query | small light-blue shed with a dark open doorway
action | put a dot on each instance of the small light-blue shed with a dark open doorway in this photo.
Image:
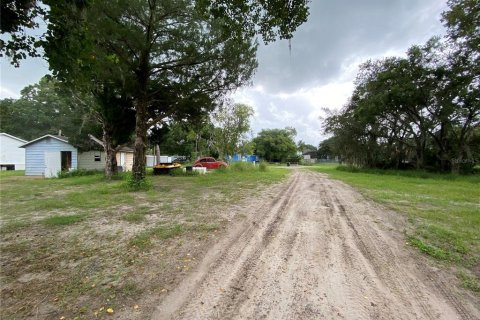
(48, 155)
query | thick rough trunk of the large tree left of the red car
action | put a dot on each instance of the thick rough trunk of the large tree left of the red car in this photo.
(138, 170)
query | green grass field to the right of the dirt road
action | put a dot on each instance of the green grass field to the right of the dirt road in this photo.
(443, 209)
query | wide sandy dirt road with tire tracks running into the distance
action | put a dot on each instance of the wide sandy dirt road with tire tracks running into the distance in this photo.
(317, 250)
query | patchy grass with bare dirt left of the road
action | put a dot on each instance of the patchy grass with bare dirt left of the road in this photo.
(77, 246)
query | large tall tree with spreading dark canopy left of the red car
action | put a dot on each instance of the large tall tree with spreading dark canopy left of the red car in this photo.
(144, 50)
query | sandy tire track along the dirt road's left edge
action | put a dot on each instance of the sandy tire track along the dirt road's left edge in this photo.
(234, 255)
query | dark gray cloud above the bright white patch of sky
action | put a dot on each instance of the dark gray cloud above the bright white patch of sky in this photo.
(341, 30)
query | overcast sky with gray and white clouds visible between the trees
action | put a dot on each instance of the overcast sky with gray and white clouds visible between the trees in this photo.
(291, 88)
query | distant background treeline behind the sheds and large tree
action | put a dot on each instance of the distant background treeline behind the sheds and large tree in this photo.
(48, 108)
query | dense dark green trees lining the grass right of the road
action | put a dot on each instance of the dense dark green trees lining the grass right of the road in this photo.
(421, 111)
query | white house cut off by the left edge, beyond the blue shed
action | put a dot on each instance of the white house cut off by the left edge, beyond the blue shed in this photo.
(12, 157)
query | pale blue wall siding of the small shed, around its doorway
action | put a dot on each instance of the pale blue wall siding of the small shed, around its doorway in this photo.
(35, 155)
